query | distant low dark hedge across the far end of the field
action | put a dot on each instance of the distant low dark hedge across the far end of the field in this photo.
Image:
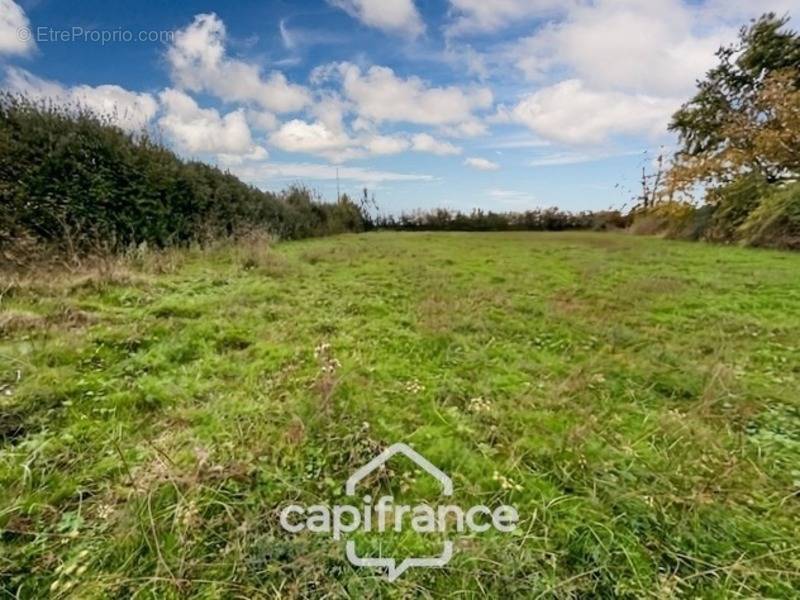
(551, 219)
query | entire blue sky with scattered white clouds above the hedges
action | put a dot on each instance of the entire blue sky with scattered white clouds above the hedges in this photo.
(499, 104)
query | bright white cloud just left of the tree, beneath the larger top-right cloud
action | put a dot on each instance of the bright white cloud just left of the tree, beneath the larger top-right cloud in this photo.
(572, 113)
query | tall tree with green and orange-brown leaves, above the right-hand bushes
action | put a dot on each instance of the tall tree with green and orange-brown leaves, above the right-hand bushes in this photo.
(745, 116)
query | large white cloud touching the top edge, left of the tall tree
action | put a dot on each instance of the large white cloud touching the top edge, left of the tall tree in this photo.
(639, 47)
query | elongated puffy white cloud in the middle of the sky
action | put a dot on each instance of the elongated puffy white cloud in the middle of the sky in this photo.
(379, 95)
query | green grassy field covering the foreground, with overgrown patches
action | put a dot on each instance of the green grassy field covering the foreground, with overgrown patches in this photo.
(635, 399)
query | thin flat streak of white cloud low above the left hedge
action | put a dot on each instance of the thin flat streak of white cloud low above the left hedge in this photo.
(262, 173)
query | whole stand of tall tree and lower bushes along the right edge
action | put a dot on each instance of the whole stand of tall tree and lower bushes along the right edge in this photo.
(740, 143)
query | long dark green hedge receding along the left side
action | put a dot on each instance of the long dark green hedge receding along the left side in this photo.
(73, 184)
